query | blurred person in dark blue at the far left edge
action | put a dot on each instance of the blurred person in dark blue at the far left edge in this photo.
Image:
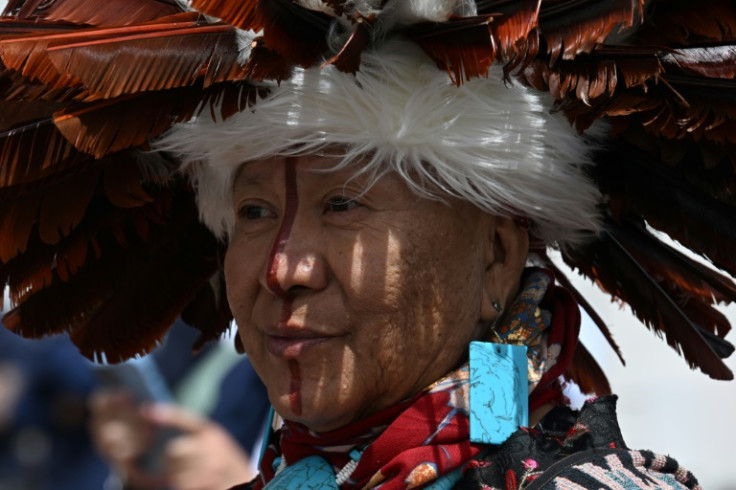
(44, 443)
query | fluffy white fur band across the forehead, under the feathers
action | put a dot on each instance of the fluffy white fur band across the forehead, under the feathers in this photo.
(493, 144)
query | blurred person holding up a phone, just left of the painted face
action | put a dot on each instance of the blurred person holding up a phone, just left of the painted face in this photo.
(168, 444)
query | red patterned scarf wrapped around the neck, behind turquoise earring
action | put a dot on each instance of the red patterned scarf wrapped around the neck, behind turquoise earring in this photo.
(426, 436)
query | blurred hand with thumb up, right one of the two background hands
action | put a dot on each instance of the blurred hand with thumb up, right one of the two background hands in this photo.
(204, 456)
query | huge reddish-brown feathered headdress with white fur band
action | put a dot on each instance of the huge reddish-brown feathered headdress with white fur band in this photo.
(101, 237)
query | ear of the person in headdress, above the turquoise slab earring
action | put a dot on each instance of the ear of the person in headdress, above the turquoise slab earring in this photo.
(506, 254)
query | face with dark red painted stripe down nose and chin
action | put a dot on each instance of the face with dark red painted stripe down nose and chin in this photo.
(348, 301)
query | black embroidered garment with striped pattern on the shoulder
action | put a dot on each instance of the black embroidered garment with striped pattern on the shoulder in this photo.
(574, 450)
